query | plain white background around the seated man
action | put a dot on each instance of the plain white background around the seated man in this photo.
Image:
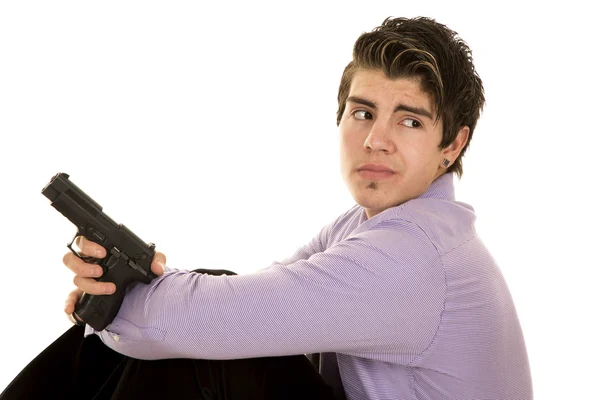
(210, 130)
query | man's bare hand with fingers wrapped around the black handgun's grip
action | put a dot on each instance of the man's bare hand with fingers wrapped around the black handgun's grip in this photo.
(85, 272)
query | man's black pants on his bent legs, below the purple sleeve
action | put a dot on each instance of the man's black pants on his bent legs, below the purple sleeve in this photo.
(74, 367)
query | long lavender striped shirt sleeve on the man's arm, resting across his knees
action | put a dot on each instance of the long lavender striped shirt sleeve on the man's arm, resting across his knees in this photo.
(378, 291)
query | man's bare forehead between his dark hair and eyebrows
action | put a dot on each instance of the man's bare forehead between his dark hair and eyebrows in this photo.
(374, 85)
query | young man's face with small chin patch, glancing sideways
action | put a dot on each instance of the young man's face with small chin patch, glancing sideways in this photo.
(389, 123)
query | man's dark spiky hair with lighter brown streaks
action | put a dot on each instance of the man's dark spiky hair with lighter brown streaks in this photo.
(425, 49)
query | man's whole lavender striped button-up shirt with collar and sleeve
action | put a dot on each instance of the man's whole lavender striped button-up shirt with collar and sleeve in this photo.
(406, 305)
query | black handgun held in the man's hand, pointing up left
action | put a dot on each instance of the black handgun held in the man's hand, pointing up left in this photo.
(127, 259)
